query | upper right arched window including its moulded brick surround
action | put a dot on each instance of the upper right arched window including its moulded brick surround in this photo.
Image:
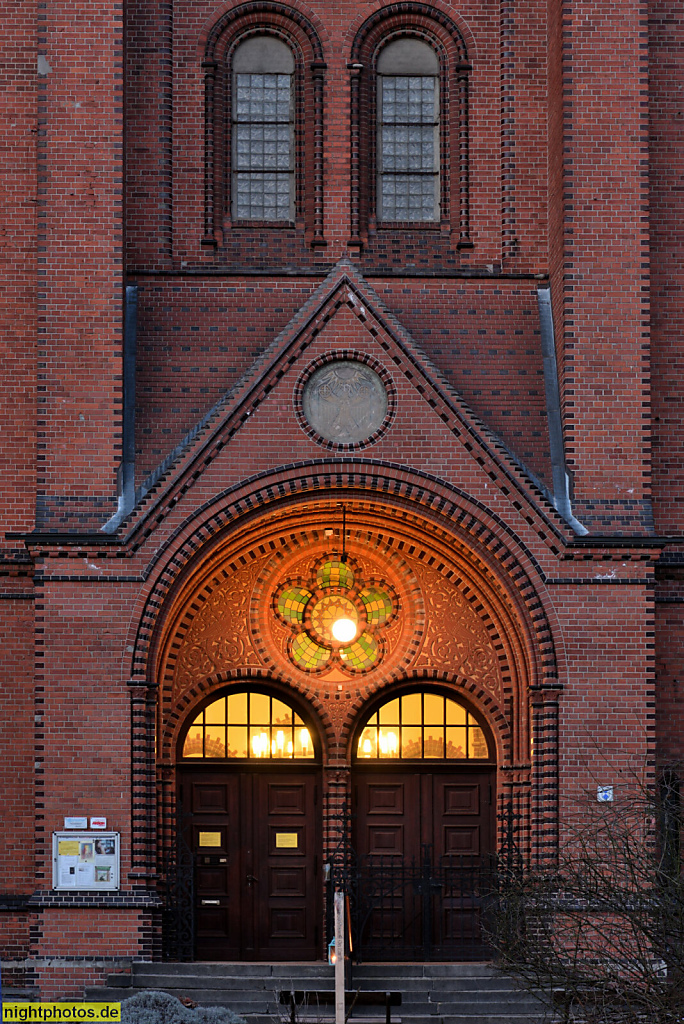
(409, 86)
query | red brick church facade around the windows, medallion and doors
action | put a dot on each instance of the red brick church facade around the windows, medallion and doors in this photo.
(529, 473)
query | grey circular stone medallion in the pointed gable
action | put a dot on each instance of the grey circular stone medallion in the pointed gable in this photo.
(346, 402)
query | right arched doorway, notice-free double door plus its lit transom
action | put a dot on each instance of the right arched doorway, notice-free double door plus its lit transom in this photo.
(424, 785)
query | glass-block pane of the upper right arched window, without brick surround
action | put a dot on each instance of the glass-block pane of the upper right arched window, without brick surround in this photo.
(408, 133)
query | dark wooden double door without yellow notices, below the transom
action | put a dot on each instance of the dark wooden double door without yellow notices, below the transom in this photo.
(424, 841)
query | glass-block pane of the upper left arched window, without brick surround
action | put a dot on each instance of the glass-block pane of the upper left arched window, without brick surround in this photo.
(263, 157)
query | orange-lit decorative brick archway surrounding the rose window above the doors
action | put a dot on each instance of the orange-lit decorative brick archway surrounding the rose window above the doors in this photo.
(434, 565)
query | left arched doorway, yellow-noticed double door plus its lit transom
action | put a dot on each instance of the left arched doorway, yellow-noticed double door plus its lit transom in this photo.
(249, 785)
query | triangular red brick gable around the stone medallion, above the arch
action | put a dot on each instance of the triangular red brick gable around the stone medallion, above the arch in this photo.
(262, 424)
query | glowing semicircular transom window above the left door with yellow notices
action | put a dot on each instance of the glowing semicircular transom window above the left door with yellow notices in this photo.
(249, 726)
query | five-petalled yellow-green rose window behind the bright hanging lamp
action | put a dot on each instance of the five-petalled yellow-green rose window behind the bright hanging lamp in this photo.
(335, 619)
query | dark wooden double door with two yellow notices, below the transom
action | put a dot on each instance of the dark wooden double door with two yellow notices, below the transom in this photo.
(258, 887)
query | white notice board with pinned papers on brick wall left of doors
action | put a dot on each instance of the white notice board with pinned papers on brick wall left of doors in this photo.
(85, 861)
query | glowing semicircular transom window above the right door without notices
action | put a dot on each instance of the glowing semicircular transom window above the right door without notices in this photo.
(425, 727)
